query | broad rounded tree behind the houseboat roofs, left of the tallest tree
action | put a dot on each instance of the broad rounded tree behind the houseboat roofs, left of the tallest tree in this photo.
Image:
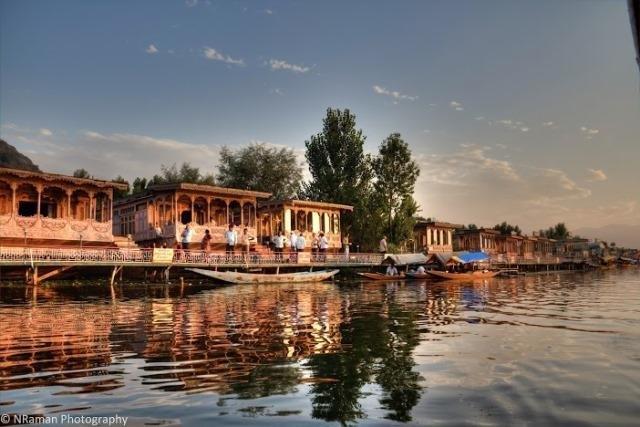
(260, 167)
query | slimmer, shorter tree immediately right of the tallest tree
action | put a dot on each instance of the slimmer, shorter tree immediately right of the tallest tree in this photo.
(396, 175)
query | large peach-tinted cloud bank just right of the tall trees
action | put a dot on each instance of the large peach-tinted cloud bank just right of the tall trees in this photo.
(472, 184)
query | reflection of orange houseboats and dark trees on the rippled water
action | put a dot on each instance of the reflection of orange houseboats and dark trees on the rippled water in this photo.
(243, 342)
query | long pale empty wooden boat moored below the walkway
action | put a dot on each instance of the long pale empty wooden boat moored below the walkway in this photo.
(235, 277)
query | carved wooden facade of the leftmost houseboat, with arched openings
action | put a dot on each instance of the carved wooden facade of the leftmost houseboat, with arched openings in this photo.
(43, 209)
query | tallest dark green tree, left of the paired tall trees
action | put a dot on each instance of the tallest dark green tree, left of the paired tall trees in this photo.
(341, 173)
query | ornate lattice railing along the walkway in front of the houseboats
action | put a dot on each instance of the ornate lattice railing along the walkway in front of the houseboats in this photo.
(111, 256)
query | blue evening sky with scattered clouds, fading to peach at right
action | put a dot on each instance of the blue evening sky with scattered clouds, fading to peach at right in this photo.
(524, 111)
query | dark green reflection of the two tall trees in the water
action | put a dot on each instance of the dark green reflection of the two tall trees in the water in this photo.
(378, 349)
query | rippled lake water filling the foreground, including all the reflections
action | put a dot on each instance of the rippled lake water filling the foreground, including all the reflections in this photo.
(560, 349)
